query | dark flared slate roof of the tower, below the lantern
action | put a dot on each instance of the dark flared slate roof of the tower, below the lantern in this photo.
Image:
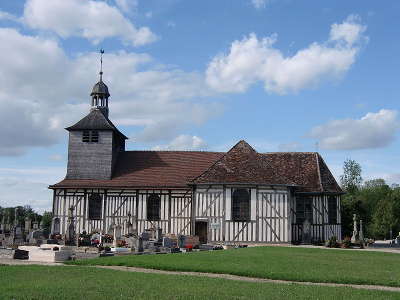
(95, 120)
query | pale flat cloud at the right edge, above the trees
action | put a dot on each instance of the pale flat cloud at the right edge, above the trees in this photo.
(374, 130)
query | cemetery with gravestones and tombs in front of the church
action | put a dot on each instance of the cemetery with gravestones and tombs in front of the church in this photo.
(29, 241)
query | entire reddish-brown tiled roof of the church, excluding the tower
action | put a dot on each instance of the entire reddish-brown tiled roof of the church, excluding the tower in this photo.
(306, 171)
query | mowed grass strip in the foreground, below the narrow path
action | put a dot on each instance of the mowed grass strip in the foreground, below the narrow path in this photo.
(48, 282)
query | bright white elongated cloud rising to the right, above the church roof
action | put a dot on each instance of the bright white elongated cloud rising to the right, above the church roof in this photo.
(251, 60)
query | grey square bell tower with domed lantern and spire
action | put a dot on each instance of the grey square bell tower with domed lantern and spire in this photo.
(94, 142)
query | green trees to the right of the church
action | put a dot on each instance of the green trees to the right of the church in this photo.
(373, 201)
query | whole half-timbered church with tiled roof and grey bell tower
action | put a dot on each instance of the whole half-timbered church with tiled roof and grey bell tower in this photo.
(240, 196)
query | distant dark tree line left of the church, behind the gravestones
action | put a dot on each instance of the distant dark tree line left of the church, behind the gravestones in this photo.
(8, 214)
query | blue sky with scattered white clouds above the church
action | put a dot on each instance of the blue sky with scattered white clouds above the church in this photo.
(199, 75)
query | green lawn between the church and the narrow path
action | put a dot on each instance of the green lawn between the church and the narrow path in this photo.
(287, 263)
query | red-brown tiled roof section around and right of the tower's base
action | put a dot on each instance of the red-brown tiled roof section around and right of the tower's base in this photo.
(152, 169)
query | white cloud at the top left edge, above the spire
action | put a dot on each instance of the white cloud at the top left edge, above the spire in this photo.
(93, 20)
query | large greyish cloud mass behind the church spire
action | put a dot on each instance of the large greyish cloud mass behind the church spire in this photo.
(43, 91)
